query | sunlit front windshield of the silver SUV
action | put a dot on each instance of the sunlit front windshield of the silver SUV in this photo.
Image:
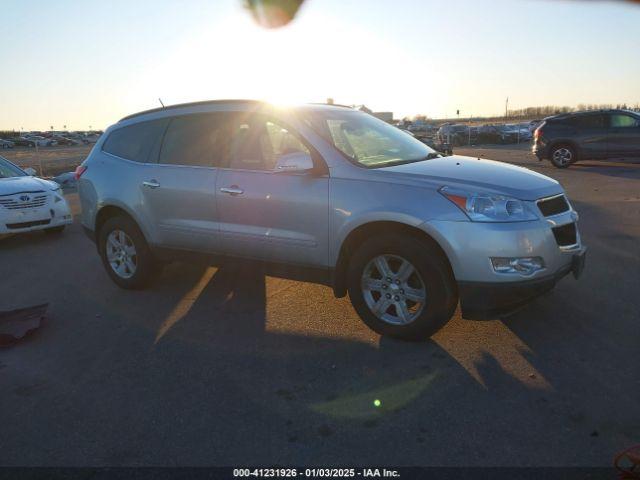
(365, 139)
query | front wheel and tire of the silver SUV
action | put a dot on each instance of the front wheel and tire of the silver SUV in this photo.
(431, 269)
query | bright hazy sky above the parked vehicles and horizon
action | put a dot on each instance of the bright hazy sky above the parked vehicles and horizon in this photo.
(84, 64)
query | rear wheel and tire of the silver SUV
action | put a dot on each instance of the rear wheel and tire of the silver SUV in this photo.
(127, 259)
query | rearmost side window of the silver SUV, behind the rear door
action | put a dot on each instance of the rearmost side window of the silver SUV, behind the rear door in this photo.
(135, 142)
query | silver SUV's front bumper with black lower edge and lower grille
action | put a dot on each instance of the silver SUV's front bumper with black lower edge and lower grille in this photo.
(486, 293)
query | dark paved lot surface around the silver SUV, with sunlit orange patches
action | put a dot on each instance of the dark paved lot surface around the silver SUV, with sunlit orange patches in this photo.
(227, 367)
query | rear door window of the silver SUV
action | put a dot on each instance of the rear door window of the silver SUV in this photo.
(200, 140)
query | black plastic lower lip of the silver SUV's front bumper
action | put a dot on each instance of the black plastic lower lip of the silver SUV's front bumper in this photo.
(484, 300)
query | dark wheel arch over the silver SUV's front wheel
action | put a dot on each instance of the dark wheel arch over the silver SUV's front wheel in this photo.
(364, 231)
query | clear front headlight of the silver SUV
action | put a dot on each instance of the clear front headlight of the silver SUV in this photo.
(484, 207)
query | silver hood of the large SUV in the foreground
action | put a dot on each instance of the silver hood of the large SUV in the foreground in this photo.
(482, 175)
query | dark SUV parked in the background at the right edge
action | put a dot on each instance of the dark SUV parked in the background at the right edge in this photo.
(564, 139)
